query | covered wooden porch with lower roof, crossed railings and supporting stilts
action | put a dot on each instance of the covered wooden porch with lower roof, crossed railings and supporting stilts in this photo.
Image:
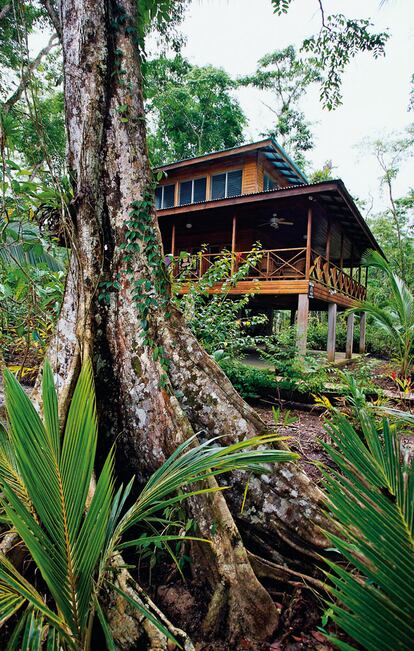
(311, 239)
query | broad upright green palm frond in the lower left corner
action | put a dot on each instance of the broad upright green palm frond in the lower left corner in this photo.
(56, 472)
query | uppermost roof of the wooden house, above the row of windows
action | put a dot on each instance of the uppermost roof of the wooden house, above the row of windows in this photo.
(274, 153)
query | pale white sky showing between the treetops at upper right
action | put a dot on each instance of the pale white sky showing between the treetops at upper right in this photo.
(234, 34)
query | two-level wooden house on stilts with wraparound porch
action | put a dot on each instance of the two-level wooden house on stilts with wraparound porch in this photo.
(312, 234)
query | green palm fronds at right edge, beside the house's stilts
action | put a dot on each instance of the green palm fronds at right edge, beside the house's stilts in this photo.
(396, 318)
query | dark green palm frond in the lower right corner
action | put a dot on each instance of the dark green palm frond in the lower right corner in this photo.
(371, 499)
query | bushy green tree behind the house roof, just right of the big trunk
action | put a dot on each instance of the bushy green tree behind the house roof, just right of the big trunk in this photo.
(190, 109)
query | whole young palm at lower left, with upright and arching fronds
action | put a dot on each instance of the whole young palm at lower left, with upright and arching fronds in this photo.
(75, 544)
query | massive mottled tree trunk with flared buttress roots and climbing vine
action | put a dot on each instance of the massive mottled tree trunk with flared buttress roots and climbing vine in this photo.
(155, 384)
